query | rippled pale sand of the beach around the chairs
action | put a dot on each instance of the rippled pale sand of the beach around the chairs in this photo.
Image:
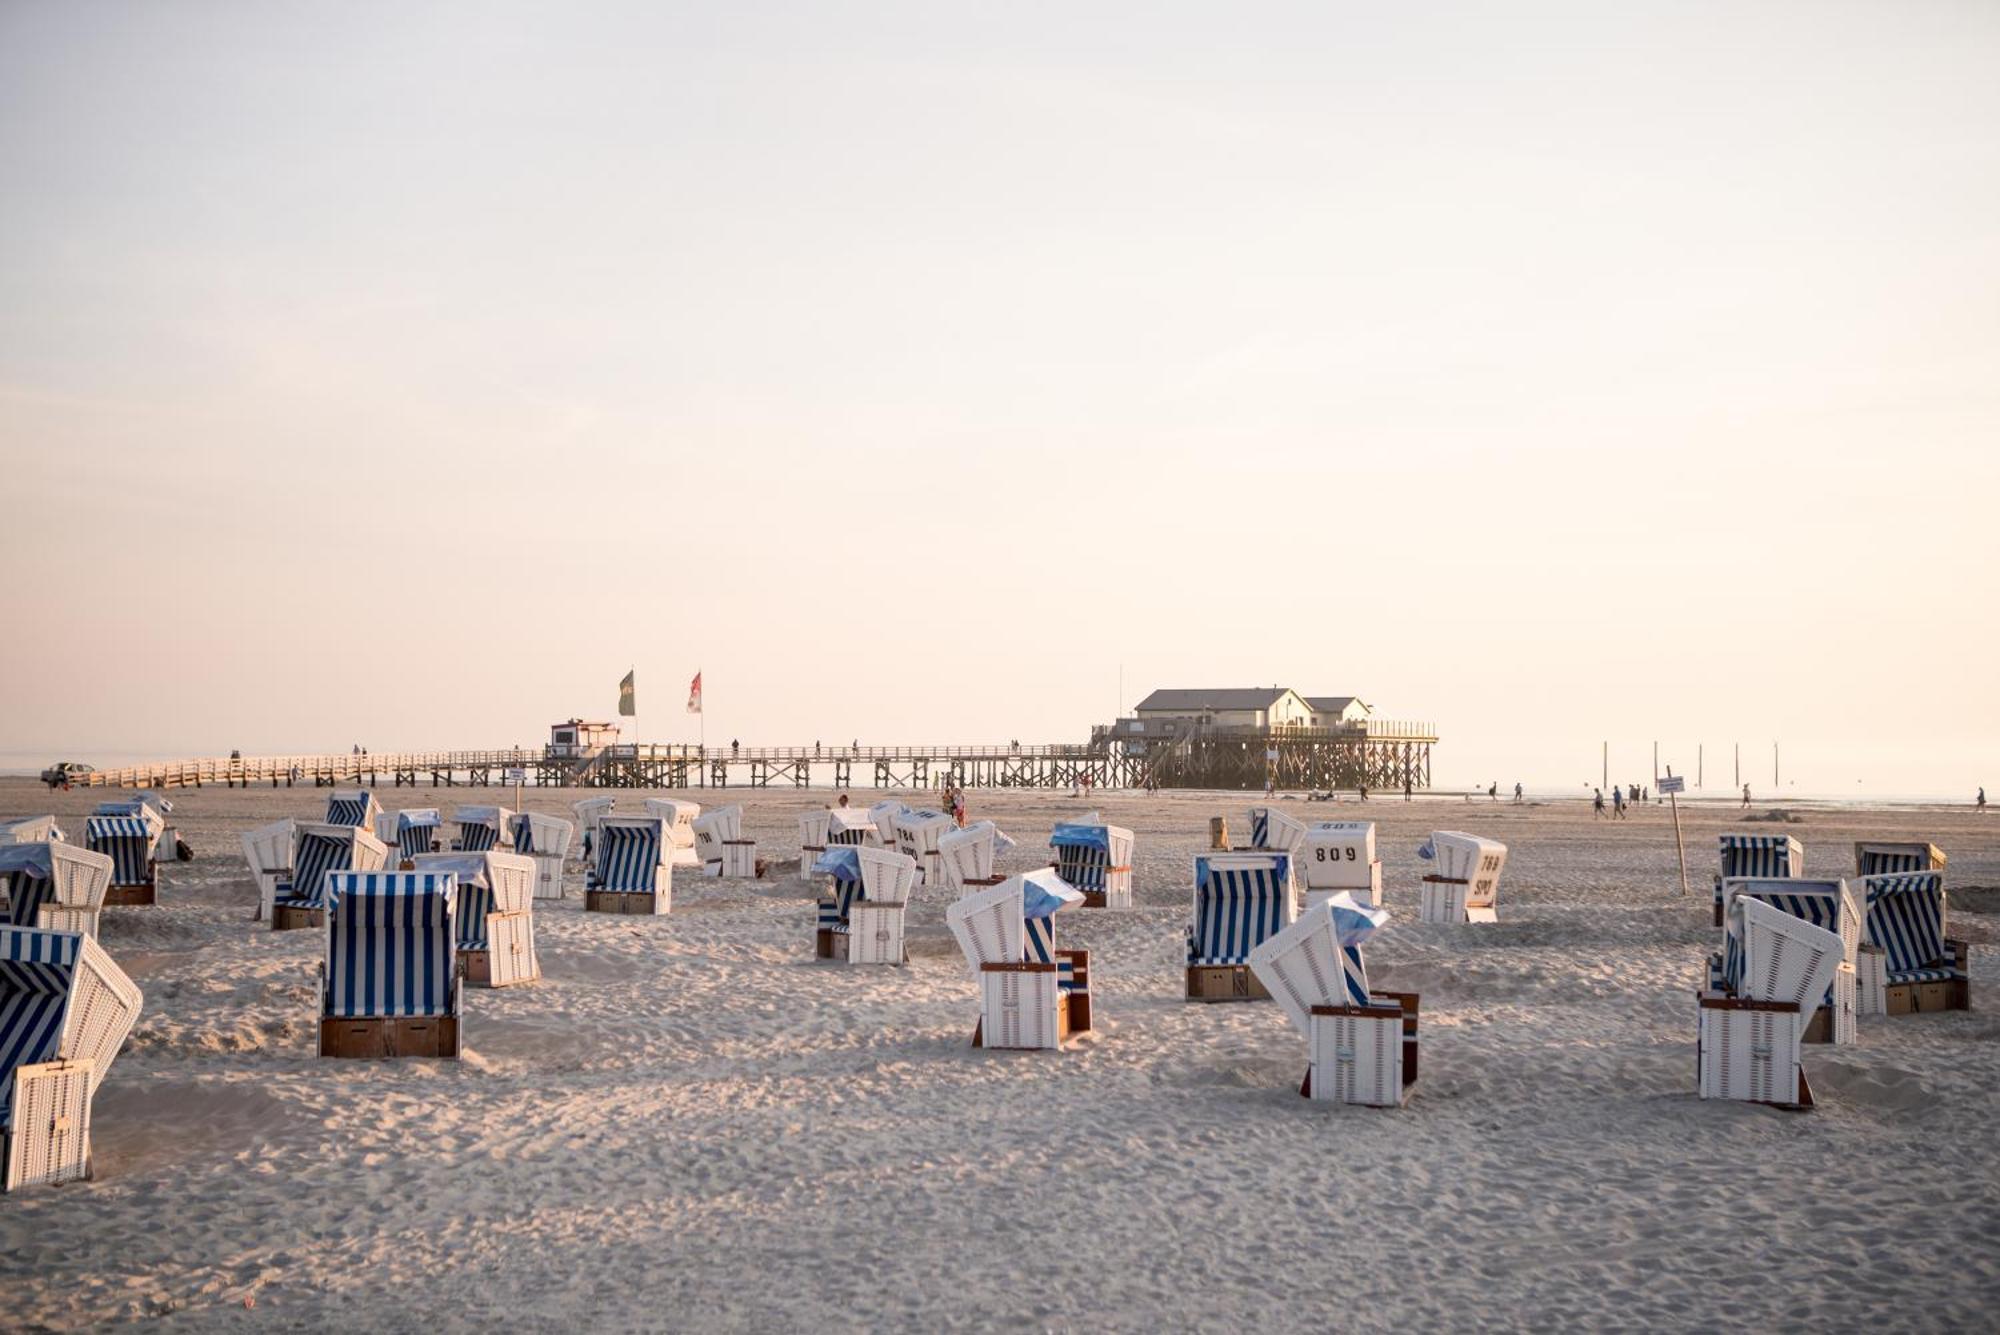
(691, 1124)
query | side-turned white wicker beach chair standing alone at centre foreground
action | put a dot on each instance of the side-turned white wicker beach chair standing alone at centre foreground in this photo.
(1033, 996)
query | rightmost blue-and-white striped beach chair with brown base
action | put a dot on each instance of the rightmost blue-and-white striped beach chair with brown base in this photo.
(1907, 962)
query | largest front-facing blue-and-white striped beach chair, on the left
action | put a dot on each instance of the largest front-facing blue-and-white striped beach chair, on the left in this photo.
(389, 982)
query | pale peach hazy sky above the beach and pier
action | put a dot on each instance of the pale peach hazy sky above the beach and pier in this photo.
(945, 373)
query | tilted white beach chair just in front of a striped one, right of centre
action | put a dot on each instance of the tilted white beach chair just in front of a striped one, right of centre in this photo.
(1363, 1044)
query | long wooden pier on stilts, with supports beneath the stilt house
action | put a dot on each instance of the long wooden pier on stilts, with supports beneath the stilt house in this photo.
(1291, 760)
